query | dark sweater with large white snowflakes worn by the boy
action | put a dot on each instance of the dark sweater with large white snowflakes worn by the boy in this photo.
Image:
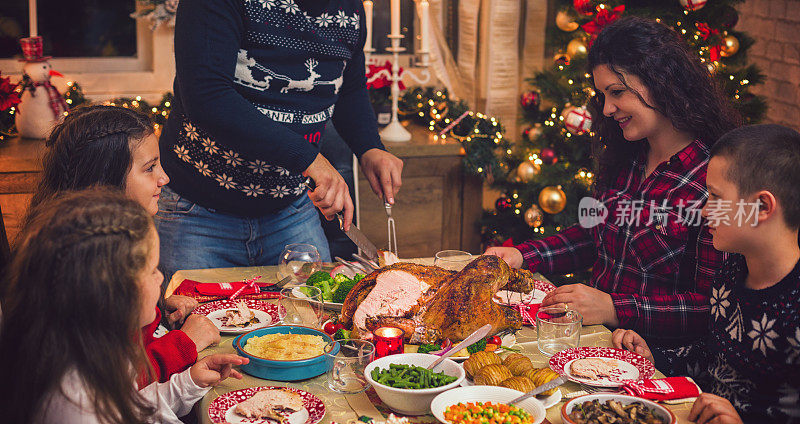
(752, 354)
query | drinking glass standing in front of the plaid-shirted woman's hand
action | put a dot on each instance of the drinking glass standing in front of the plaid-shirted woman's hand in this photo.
(557, 329)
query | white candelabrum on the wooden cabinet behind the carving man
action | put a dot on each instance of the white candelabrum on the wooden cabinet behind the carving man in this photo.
(395, 132)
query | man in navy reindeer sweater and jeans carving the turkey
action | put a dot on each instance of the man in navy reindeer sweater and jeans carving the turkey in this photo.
(256, 83)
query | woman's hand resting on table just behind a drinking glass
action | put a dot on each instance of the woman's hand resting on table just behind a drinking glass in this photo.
(595, 305)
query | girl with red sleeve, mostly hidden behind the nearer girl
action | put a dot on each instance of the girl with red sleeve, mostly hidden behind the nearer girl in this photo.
(116, 147)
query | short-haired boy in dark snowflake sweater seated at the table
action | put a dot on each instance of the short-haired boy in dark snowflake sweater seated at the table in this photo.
(750, 361)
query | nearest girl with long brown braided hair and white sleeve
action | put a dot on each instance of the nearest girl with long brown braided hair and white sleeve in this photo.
(70, 339)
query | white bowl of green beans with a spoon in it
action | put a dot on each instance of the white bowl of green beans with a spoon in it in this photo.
(405, 385)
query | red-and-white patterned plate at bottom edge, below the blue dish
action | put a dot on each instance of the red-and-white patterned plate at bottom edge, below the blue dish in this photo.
(221, 409)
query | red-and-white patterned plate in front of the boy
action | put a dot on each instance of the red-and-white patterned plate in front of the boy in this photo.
(630, 365)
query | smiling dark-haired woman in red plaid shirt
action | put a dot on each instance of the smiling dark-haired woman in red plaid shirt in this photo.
(658, 112)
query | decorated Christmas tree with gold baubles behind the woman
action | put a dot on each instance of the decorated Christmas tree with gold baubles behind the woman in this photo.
(551, 164)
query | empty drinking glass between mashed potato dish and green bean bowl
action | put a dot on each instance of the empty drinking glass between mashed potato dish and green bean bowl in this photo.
(346, 367)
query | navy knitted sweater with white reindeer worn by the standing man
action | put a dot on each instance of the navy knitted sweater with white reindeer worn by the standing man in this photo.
(256, 82)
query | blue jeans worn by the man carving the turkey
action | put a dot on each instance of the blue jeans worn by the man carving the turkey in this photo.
(194, 237)
